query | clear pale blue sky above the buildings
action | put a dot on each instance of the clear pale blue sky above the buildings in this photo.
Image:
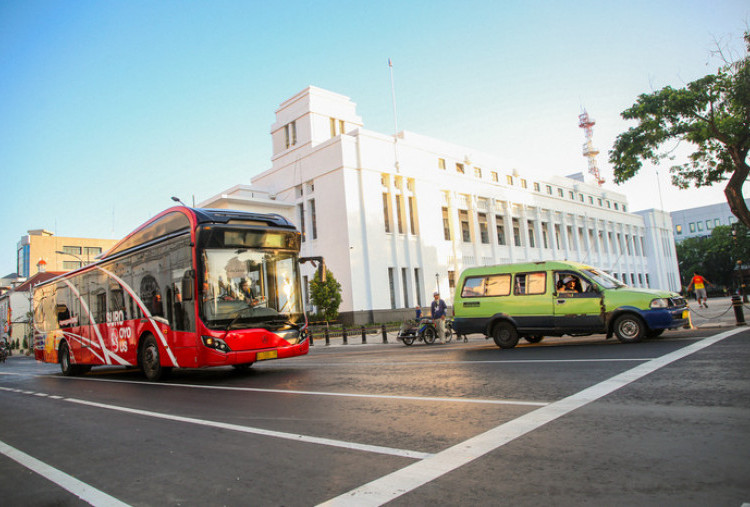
(109, 108)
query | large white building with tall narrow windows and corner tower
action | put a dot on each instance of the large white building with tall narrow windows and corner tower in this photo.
(396, 217)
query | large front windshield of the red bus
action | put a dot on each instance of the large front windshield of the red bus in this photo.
(246, 287)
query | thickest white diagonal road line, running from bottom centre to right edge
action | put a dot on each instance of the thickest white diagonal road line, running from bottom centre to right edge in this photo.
(393, 485)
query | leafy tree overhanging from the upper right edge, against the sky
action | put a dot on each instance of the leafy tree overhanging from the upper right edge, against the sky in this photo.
(712, 114)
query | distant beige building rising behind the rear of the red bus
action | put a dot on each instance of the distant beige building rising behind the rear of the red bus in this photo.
(41, 245)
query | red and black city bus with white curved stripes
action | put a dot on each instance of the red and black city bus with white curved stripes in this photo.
(190, 288)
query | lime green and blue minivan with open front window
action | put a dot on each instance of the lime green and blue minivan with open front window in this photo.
(555, 298)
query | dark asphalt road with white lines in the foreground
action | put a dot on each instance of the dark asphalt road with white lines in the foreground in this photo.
(565, 422)
